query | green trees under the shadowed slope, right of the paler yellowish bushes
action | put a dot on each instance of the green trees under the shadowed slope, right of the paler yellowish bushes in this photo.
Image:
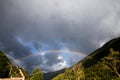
(106, 69)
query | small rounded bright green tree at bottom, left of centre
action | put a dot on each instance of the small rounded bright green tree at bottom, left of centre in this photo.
(37, 74)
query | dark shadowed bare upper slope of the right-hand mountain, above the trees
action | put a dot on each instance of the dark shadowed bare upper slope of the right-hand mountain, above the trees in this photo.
(94, 57)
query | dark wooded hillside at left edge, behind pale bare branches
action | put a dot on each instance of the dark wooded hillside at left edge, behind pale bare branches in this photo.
(8, 70)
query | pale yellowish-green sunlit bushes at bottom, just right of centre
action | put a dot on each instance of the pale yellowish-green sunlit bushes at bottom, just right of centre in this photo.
(74, 73)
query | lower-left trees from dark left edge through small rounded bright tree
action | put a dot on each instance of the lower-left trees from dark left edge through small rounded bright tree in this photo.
(7, 70)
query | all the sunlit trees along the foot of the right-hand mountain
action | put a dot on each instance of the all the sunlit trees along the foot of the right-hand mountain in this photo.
(107, 68)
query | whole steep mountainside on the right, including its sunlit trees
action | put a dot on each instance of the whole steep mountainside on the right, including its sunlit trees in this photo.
(102, 64)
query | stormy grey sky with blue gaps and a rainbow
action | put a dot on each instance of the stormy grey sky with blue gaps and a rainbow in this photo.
(55, 34)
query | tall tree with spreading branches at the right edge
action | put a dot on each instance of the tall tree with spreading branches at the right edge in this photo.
(112, 61)
